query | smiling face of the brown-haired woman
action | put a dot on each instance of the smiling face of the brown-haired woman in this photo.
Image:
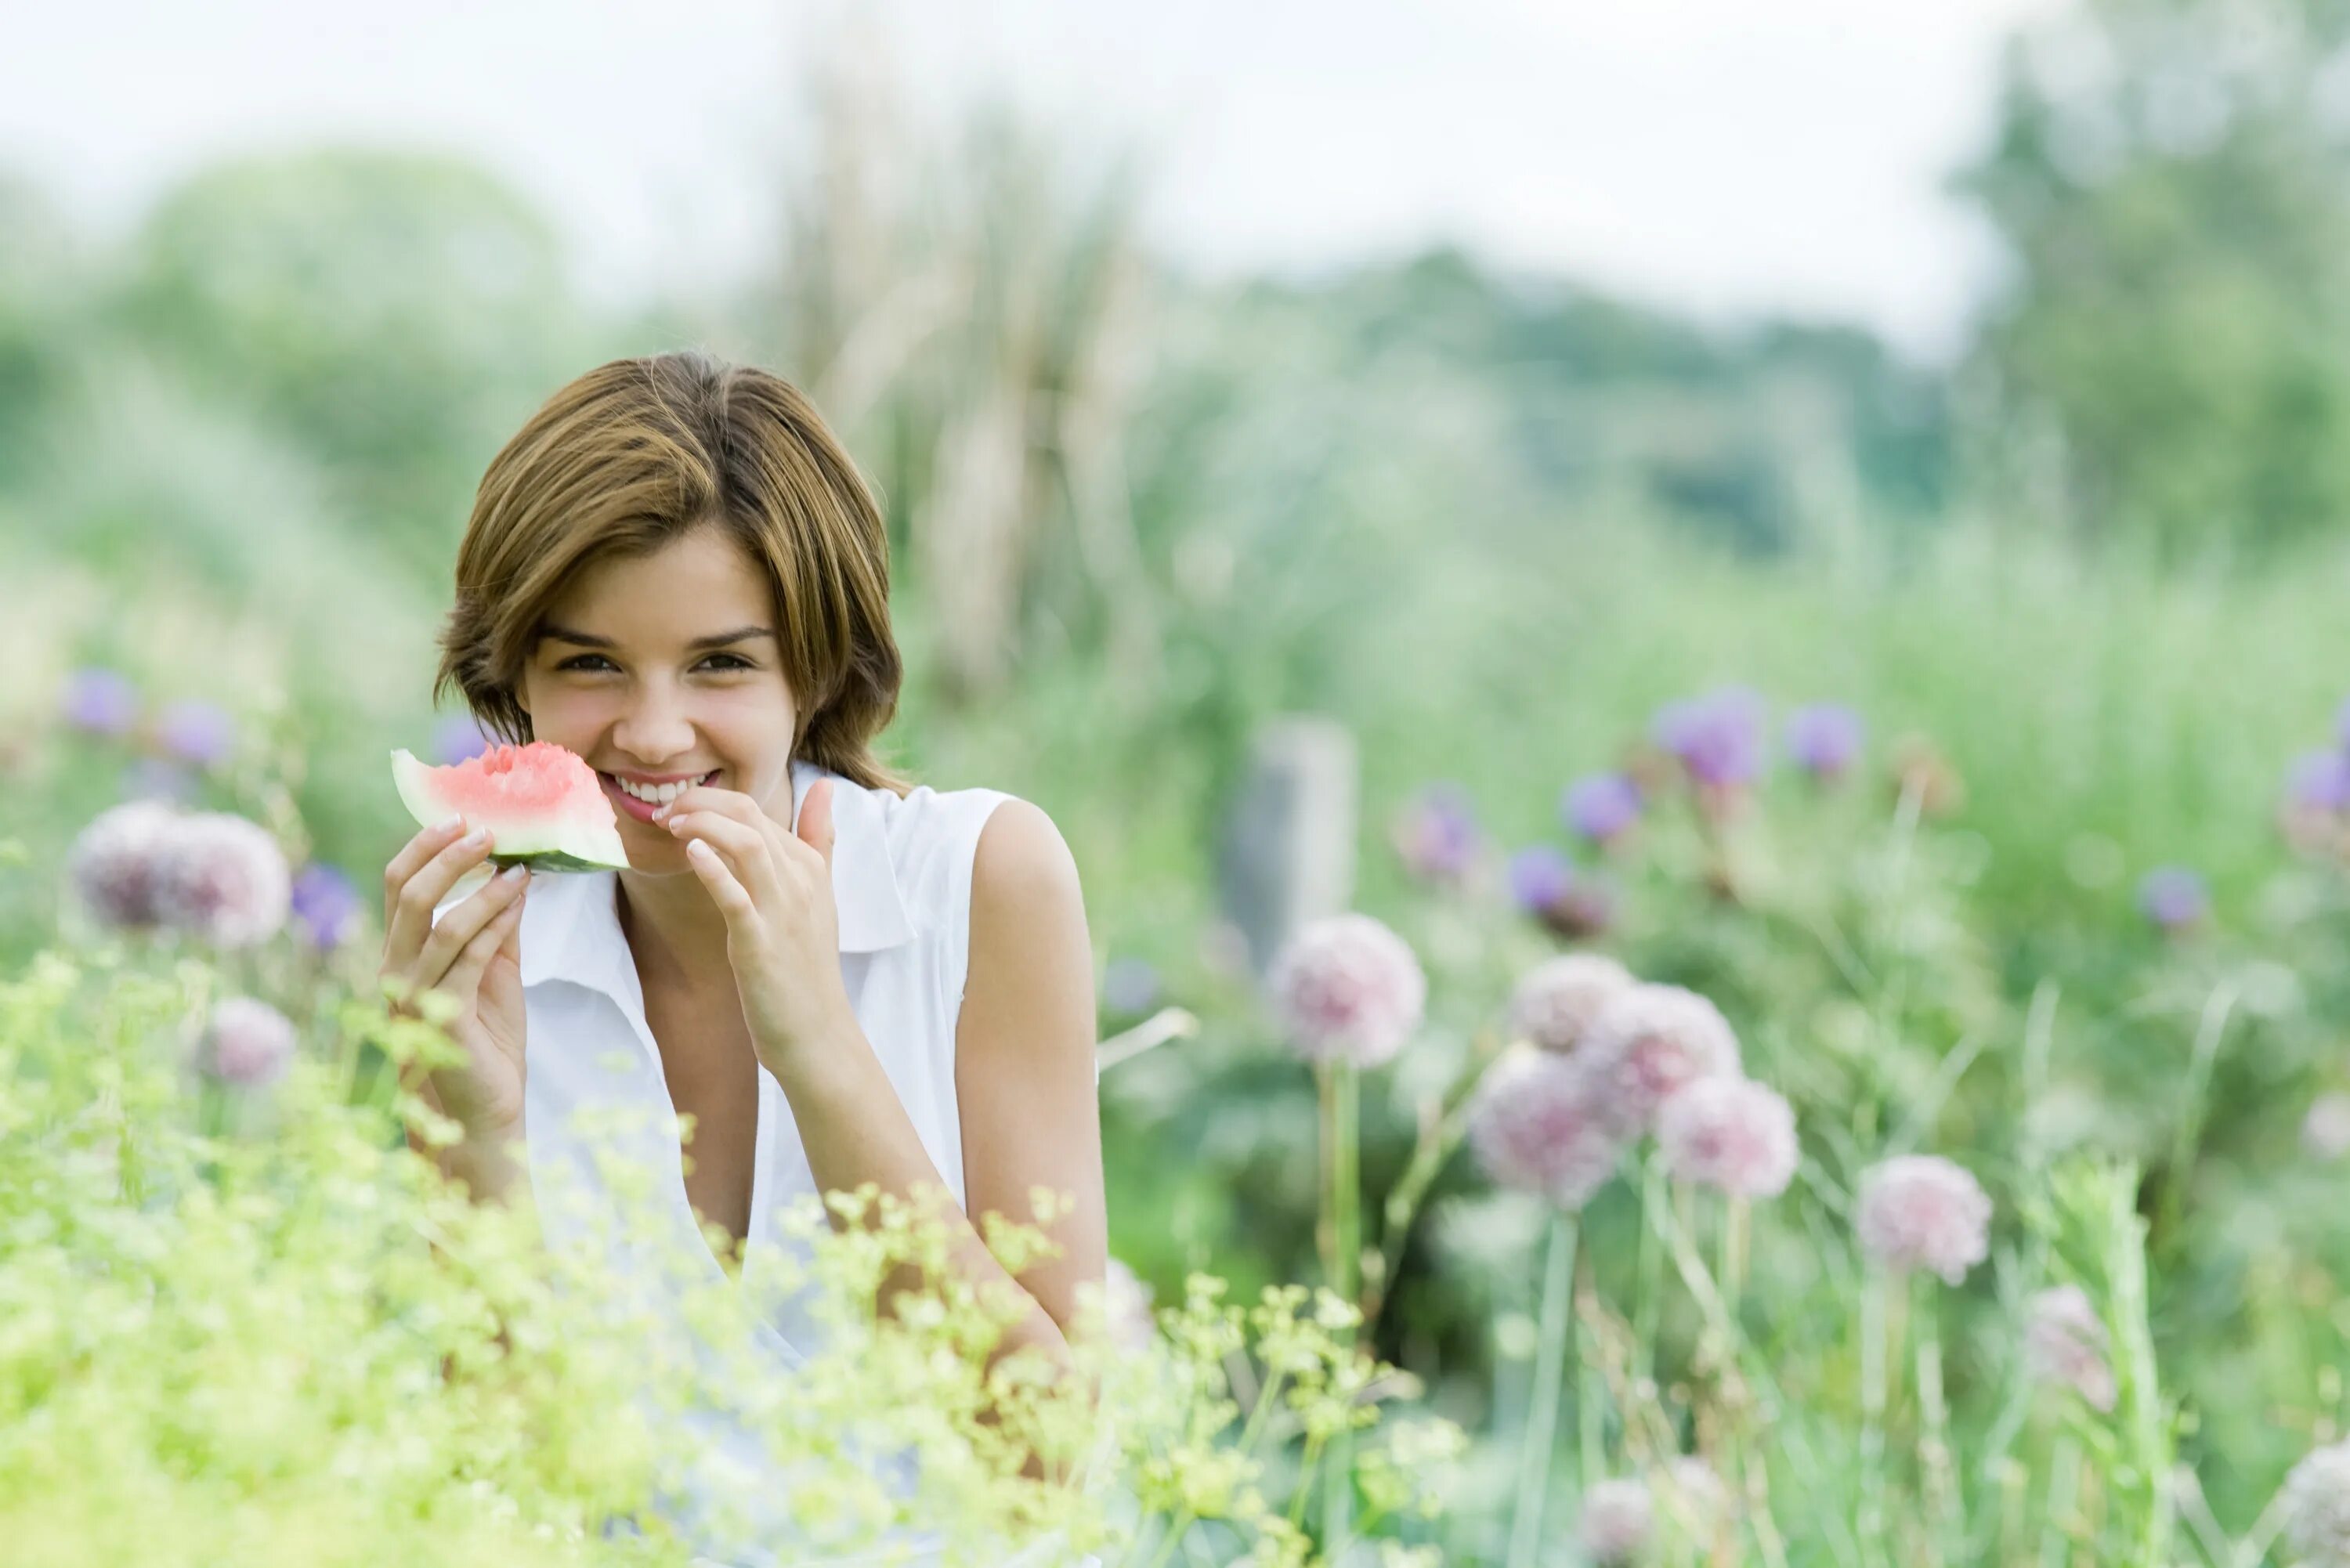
(666, 669)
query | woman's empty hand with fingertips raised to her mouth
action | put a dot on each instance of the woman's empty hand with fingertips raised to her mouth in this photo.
(774, 887)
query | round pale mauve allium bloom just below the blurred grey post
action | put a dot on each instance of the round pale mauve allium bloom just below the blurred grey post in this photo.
(1348, 989)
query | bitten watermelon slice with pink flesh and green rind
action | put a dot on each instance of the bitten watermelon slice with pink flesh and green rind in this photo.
(542, 803)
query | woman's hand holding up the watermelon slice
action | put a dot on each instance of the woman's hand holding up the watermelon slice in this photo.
(474, 956)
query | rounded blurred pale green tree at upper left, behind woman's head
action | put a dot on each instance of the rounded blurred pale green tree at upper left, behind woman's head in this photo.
(394, 314)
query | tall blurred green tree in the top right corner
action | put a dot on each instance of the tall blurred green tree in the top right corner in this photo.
(2170, 180)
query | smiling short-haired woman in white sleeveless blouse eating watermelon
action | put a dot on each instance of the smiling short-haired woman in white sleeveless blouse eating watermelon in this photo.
(676, 572)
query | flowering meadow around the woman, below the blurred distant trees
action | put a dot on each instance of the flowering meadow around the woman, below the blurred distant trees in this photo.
(1757, 1118)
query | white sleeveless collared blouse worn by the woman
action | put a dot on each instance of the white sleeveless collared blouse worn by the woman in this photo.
(901, 883)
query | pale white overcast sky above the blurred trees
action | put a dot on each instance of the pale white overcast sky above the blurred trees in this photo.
(1726, 156)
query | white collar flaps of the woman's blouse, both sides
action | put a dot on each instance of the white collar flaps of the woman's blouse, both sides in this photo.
(572, 930)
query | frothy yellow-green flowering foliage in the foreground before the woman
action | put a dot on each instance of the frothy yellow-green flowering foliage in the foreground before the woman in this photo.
(262, 1329)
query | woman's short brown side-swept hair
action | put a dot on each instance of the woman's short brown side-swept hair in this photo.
(640, 453)
